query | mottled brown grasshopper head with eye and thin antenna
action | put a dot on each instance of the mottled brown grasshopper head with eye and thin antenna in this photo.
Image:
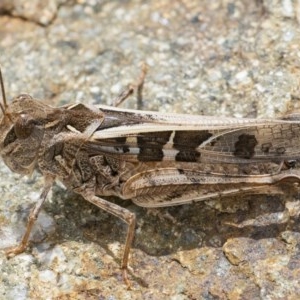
(21, 132)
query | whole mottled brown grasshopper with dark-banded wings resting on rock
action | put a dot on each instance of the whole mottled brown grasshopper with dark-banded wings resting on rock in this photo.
(153, 159)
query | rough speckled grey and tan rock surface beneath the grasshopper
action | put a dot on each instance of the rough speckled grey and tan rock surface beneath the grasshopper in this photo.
(223, 58)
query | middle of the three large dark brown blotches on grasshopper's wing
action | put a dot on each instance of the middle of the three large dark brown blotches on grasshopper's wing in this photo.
(186, 143)
